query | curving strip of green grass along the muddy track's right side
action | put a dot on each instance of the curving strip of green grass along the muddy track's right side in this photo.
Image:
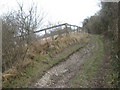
(90, 67)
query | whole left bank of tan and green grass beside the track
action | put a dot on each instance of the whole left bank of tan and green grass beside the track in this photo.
(41, 57)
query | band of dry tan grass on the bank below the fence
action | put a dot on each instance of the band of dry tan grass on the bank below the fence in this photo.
(44, 47)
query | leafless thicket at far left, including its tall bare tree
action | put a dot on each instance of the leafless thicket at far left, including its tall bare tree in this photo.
(18, 33)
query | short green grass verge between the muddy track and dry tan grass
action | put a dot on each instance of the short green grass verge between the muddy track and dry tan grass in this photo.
(39, 66)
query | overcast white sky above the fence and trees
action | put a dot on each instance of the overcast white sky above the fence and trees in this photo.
(63, 11)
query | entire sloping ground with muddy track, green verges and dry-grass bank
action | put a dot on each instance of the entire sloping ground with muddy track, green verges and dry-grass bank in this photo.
(75, 61)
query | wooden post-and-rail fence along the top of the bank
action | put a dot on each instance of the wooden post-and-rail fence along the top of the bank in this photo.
(57, 30)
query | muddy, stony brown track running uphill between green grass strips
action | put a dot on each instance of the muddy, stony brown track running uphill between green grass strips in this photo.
(60, 75)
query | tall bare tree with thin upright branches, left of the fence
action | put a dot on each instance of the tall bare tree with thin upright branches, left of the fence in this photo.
(28, 21)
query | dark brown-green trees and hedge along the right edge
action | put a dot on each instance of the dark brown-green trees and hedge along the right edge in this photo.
(106, 22)
